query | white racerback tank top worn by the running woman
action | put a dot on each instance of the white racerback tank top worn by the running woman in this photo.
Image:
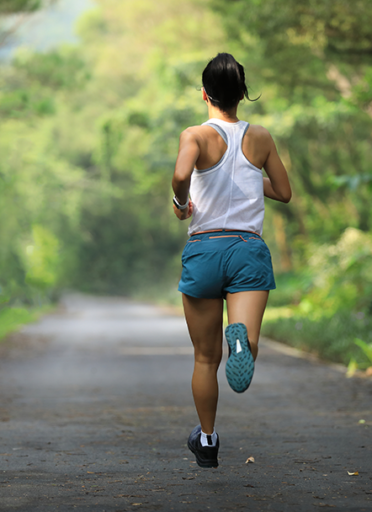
(228, 195)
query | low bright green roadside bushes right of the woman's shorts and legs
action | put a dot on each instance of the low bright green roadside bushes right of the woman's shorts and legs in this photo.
(329, 302)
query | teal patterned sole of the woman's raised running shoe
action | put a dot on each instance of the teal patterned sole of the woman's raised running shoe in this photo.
(240, 364)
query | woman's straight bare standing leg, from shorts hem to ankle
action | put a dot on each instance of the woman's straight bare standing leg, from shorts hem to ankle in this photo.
(204, 320)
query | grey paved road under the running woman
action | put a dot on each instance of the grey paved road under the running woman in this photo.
(96, 409)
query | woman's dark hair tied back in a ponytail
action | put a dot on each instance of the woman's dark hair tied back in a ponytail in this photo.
(224, 82)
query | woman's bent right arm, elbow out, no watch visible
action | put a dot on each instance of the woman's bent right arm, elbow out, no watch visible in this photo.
(276, 186)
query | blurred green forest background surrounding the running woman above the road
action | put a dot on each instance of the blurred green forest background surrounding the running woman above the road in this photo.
(89, 136)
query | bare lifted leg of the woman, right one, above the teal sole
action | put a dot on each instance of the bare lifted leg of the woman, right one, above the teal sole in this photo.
(248, 308)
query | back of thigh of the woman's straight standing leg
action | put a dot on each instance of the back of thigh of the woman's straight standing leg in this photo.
(204, 320)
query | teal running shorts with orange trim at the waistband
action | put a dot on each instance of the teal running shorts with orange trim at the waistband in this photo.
(217, 263)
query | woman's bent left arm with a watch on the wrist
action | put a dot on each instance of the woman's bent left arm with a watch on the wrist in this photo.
(188, 154)
